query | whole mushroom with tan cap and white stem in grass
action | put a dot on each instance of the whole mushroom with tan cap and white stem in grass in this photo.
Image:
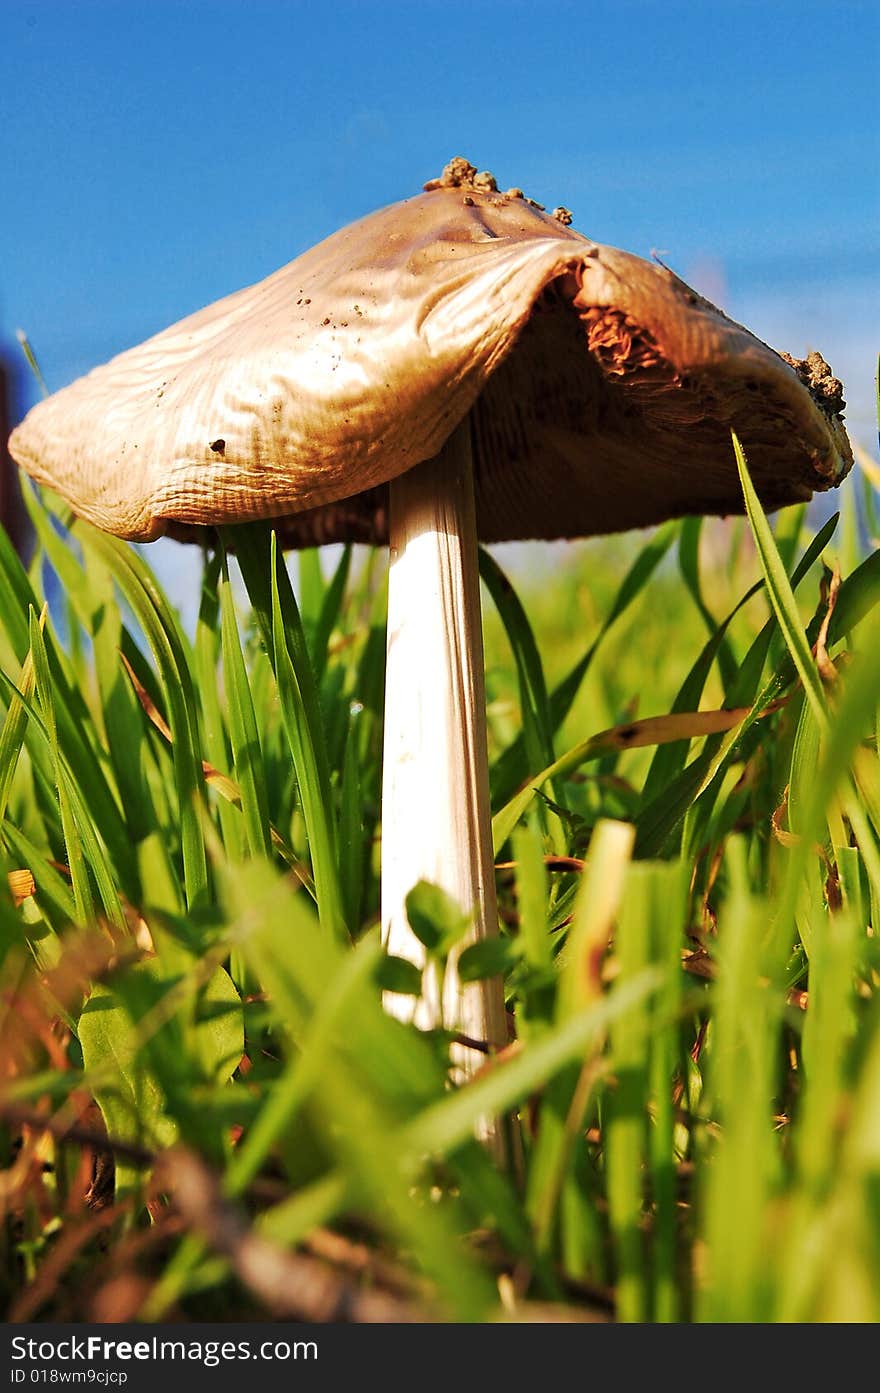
(459, 366)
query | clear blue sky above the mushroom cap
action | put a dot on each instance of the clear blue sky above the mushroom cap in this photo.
(157, 157)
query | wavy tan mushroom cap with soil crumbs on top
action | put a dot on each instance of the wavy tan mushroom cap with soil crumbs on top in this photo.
(602, 391)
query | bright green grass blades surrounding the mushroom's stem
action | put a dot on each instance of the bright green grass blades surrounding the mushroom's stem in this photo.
(207, 1114)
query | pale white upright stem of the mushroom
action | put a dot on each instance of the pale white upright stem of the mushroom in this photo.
(435, 809)
